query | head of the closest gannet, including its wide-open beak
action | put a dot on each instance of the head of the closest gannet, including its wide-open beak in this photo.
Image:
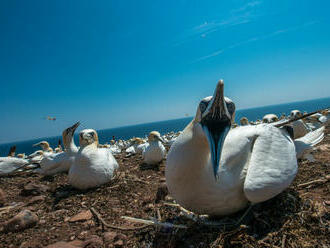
(214, 117)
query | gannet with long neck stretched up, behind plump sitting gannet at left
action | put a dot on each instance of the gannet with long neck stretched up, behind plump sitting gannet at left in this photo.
(53, 163)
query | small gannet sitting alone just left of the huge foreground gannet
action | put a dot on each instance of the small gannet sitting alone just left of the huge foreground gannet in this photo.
(154, 152)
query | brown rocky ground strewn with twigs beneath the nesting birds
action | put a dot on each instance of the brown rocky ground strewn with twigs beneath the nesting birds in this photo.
(46, 212)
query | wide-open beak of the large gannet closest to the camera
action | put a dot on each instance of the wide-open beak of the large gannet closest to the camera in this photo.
(216, 123)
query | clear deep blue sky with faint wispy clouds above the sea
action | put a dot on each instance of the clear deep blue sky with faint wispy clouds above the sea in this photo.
(114, 63)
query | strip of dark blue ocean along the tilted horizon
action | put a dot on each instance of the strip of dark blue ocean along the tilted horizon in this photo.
(163, 127)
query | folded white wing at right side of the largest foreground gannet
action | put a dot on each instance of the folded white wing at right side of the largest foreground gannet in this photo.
(272, 165)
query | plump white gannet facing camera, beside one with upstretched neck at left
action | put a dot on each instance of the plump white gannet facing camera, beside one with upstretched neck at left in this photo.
(93, 166)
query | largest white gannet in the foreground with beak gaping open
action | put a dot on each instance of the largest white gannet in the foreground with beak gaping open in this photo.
(213, 170)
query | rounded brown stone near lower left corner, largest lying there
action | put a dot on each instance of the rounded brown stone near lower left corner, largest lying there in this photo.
(21, 221)
